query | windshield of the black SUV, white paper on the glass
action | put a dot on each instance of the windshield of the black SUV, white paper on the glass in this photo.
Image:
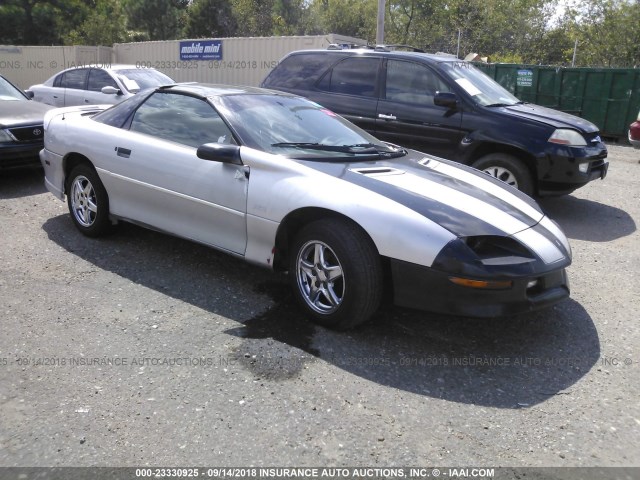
(482, 88)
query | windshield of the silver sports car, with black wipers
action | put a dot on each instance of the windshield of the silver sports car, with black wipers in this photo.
(298, 128)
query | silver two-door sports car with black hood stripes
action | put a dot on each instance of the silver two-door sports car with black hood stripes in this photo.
(287, 184)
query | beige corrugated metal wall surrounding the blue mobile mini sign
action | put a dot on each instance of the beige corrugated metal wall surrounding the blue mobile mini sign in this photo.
(245, 61)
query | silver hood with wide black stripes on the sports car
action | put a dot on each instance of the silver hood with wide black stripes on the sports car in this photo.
(460, 199)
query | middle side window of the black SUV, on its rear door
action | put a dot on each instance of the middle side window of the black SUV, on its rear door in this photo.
(353, 76)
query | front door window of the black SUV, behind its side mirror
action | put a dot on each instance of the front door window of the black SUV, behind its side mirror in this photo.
(410, 82)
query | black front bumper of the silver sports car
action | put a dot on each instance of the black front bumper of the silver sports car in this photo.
(424, 288)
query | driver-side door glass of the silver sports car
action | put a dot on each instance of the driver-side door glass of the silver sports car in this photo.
(181, 119)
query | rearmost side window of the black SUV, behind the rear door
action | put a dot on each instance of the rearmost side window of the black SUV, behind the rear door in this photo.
(299, 71)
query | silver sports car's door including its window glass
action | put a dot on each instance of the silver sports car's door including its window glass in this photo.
(156, 178)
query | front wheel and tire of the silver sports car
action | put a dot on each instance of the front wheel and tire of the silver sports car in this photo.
(355, 293)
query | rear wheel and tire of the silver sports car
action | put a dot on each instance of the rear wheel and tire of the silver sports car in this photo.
(88, 201)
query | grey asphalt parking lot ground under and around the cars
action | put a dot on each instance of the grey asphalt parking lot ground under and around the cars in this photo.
(143, 349)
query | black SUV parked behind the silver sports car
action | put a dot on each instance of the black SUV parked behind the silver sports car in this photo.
(447, 107)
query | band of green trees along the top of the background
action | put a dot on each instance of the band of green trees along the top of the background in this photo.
(521, 31)
